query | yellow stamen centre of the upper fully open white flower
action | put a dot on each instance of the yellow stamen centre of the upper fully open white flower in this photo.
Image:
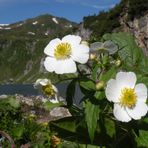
(62, 51)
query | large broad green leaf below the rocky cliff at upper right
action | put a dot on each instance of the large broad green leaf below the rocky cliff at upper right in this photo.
(130, 53)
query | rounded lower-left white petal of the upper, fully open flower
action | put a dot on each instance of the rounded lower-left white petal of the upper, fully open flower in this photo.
(50, 64)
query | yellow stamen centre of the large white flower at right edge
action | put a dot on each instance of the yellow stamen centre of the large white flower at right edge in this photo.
(128, 97)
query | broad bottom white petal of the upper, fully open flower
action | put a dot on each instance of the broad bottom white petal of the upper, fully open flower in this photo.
(65, 66)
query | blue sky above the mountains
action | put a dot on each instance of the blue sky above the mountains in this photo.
(16, 10)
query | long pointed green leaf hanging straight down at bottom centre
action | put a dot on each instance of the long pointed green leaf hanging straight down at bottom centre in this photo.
(91, 117)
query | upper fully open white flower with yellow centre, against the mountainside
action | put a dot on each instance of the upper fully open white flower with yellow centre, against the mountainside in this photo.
(62, 54)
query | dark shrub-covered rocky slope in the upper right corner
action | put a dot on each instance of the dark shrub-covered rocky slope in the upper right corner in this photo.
(128, 16)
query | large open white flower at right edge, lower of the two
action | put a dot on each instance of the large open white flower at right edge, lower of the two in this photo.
(129, 98)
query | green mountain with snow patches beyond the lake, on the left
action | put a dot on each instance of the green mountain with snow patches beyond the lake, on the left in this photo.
(22, 45)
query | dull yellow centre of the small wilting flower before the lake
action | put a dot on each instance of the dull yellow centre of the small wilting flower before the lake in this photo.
(48, 90)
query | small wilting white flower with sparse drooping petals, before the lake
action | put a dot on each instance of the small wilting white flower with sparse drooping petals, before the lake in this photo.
(47, 89)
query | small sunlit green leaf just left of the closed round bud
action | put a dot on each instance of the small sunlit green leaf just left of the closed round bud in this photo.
(87, 84)
